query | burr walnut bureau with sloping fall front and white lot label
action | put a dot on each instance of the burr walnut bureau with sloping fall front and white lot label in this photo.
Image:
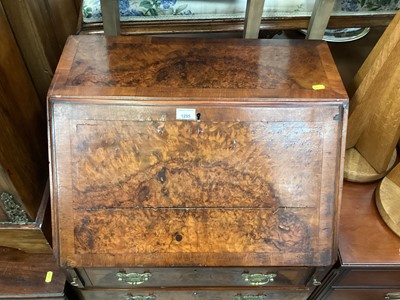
(195, 168)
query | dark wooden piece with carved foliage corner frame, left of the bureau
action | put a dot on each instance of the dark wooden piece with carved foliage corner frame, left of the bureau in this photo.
(23, 159)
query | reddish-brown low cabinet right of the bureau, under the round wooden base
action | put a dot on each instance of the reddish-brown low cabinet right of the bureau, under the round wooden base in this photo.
(369, 251)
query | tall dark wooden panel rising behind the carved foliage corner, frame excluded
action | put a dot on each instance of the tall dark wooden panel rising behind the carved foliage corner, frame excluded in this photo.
(23, 156)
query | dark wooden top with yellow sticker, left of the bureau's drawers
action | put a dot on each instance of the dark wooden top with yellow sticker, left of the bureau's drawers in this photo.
(30, 276)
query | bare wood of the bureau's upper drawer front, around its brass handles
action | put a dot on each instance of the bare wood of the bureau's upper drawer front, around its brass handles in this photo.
(198, 277)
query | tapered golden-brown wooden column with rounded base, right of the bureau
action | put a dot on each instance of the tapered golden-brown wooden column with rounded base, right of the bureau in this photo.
(374, 114)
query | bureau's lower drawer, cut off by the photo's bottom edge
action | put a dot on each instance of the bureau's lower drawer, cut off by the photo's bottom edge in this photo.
(193, 294)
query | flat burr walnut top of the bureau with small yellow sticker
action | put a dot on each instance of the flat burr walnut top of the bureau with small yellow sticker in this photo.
(150, 68)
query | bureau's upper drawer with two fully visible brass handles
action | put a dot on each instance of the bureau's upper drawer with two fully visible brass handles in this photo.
(183, 277)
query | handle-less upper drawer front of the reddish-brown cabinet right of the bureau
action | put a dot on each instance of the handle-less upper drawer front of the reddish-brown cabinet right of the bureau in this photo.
(369, 278)
